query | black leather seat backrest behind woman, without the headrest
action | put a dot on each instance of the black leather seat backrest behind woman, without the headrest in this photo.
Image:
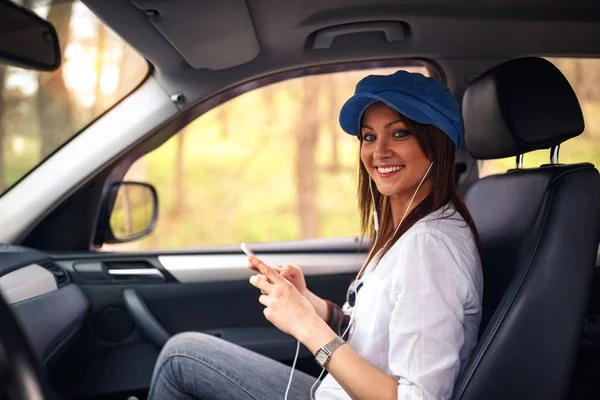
(539, 230)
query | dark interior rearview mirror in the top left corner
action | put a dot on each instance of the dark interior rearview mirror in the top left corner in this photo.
(27, 40)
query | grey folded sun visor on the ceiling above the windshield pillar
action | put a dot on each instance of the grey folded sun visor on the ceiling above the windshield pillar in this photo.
(212, 34)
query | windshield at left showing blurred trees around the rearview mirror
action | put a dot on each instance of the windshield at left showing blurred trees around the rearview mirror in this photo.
(41, 111)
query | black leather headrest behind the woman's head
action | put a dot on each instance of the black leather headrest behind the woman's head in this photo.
(521, 105)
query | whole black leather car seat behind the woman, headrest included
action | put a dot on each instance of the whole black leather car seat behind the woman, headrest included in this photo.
(539, 229)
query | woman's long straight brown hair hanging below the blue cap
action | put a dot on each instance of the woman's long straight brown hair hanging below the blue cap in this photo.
(438, 148)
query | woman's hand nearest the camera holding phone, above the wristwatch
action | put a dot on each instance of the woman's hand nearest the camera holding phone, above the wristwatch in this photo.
(285, 308)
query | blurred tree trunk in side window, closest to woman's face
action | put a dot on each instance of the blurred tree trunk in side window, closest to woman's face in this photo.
(307, 130)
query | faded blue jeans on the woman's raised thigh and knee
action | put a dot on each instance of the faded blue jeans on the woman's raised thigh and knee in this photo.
(199, 366)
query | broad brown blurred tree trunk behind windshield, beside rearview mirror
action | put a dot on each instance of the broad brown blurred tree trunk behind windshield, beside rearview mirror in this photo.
(53, 103)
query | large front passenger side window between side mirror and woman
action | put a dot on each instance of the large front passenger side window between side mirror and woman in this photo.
(269, 165)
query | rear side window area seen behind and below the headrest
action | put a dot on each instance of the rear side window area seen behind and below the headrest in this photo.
(584, 75)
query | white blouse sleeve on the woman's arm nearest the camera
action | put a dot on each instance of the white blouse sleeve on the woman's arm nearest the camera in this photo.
(426, 326)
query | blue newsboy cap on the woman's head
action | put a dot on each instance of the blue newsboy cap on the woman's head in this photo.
(415, 96)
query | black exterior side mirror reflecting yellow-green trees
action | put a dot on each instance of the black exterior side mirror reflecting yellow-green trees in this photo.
(129, 212)
